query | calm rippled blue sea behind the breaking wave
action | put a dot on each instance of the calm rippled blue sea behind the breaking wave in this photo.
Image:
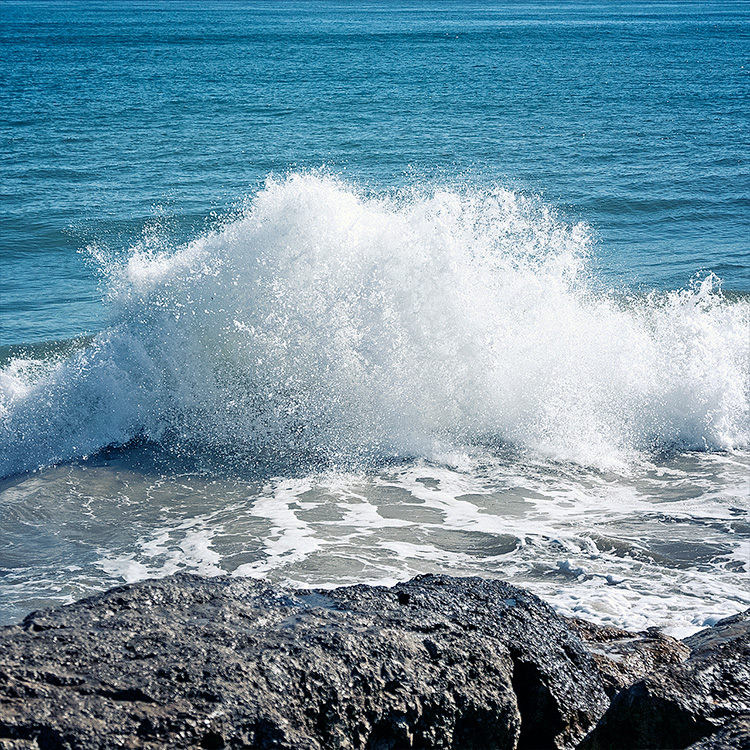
(117, 116)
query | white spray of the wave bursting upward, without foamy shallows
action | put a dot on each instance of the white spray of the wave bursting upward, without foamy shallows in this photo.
(330, 324)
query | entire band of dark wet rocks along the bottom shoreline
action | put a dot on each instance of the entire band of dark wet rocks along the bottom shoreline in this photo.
(435, 662)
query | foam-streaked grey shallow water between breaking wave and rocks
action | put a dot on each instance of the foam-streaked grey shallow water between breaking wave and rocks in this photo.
(667, 546)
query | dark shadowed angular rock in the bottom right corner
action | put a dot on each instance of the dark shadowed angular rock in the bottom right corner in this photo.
(679, 704)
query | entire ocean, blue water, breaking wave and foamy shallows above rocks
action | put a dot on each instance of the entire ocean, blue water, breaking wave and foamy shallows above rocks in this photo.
(341, 292)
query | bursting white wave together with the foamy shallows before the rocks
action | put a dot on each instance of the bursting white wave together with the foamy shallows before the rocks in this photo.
(335, 384)
